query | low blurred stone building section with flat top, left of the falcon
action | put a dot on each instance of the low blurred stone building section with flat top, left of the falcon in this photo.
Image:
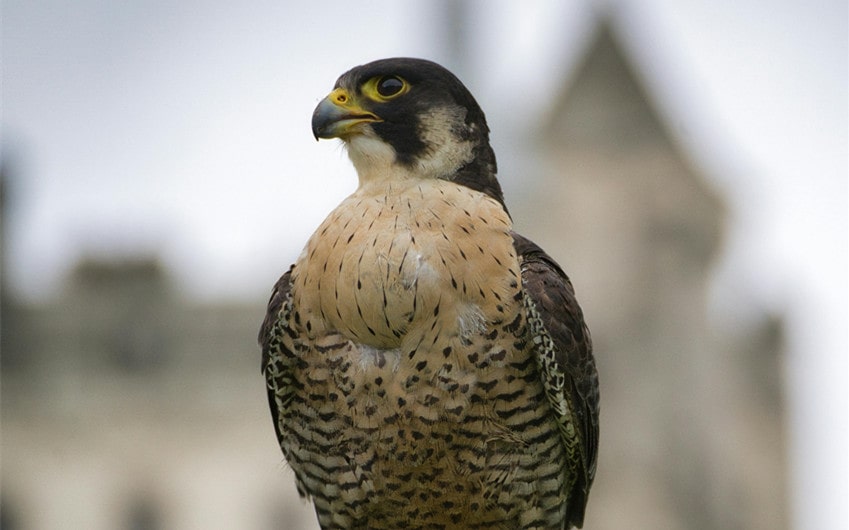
(131, 408)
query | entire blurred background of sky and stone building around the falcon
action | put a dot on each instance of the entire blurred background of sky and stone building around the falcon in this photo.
(686, 162)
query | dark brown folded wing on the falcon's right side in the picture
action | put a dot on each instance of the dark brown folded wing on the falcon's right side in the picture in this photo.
(567, 367)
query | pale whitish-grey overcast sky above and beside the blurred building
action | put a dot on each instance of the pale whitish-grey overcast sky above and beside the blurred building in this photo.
(182, 128)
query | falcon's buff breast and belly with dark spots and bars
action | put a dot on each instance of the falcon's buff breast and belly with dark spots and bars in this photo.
(408, 374)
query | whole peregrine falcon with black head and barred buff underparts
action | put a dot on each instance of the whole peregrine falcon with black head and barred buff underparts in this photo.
(427, 366)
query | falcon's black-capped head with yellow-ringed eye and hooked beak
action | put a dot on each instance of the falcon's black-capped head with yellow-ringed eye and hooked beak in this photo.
(409, 118)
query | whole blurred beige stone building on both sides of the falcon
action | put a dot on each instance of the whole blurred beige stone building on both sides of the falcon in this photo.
(126, 407)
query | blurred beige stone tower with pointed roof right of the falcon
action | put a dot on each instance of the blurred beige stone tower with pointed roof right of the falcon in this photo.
(637, 227)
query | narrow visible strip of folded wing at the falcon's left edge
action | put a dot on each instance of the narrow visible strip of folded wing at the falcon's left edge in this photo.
(274, 365)
